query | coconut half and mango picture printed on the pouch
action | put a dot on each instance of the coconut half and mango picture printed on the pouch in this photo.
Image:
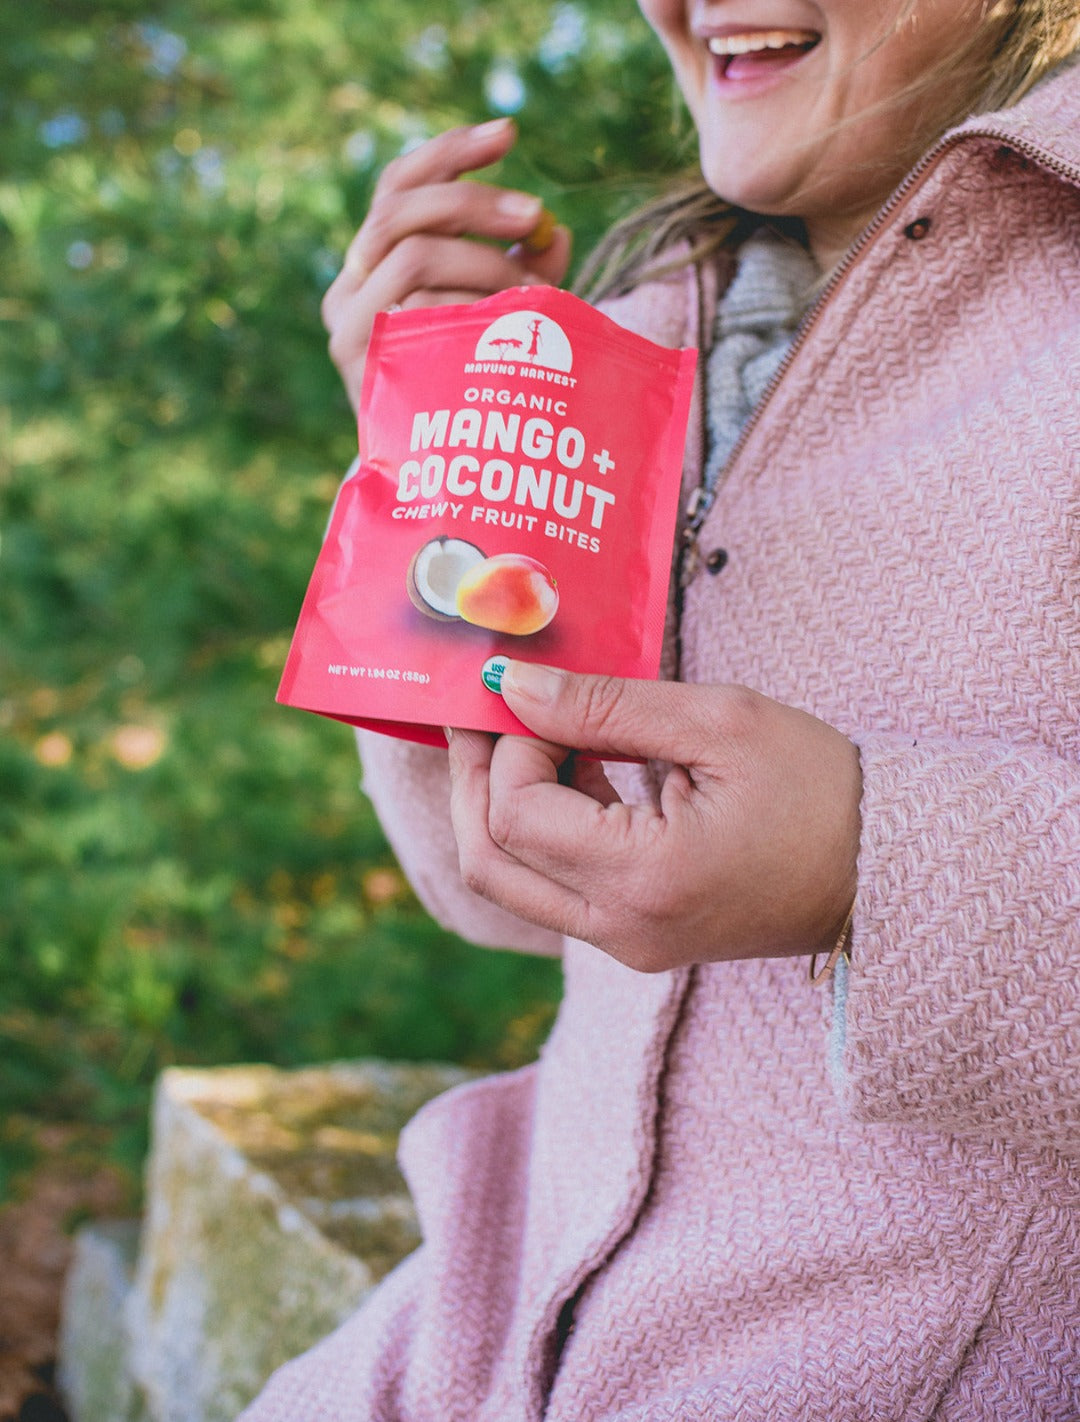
(453, 581)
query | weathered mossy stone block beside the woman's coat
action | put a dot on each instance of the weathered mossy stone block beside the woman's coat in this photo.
(274, 1207)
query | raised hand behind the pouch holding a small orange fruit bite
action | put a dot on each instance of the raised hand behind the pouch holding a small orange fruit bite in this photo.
(412, 248)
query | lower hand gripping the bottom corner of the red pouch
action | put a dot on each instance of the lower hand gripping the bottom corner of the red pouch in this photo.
(752, 852)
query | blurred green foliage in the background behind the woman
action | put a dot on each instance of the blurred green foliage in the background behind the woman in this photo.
(187, 871)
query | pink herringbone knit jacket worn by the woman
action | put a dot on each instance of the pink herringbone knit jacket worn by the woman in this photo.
(721, 1194)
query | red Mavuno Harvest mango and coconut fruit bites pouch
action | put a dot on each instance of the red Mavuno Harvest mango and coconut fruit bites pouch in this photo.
(516, 497)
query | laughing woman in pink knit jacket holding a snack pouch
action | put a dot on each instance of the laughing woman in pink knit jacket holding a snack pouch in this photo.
(805, 1143)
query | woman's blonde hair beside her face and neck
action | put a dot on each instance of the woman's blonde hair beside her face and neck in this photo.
(1015, 46)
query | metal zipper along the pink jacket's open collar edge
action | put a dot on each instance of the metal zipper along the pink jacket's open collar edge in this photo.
(704, 500)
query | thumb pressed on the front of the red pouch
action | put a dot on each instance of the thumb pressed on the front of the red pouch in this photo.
(652, 720)
